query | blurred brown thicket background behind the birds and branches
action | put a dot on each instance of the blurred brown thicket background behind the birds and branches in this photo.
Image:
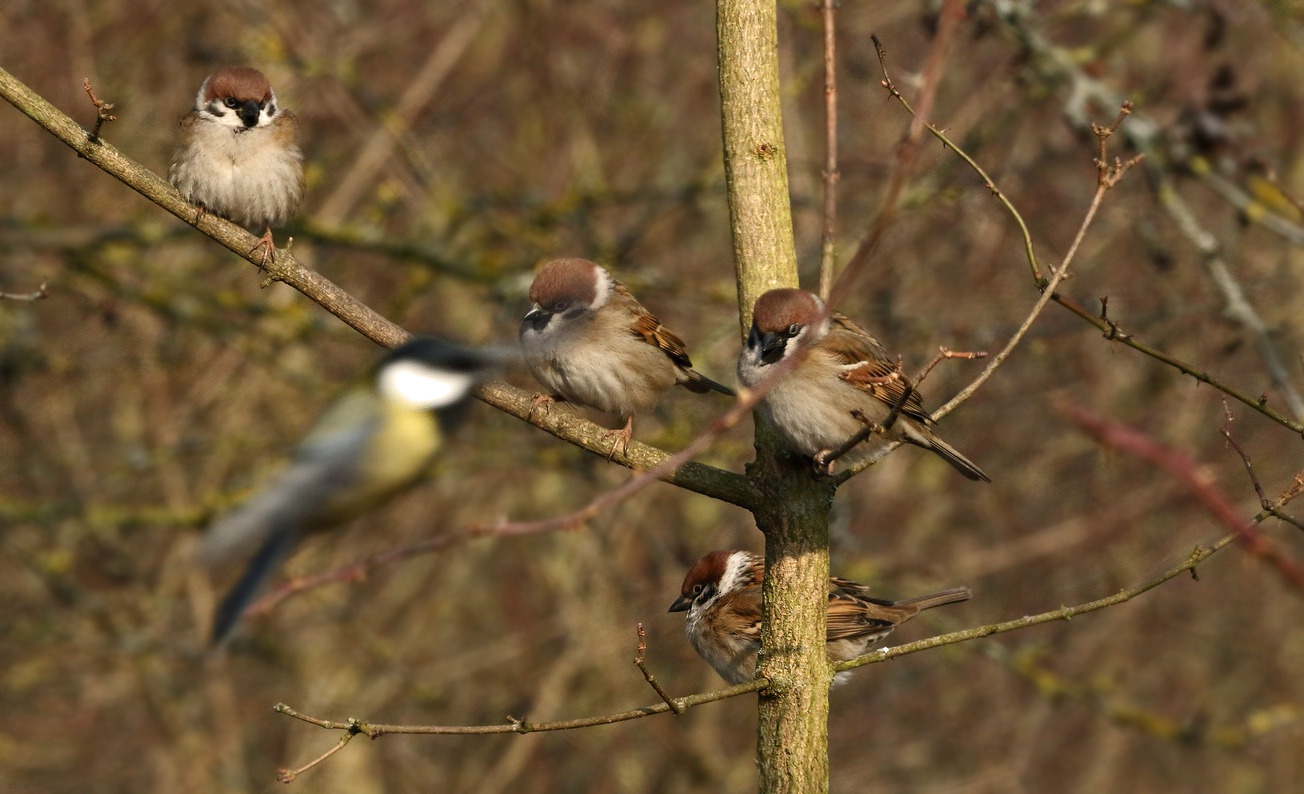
(456, 147)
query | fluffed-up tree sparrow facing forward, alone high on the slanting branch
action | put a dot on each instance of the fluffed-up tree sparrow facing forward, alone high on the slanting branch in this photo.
(239, 154)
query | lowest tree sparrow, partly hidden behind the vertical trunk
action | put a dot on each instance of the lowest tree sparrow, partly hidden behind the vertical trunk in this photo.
(722, 595)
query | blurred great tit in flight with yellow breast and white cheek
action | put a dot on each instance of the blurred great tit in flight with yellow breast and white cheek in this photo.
(372, 444)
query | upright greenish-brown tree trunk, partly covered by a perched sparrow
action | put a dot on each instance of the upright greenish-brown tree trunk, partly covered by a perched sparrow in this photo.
(792, 744)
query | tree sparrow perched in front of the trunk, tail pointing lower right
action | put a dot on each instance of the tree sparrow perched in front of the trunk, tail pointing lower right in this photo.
(846, 371)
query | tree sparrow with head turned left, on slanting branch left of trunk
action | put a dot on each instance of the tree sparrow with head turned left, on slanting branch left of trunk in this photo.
(590, 342)
